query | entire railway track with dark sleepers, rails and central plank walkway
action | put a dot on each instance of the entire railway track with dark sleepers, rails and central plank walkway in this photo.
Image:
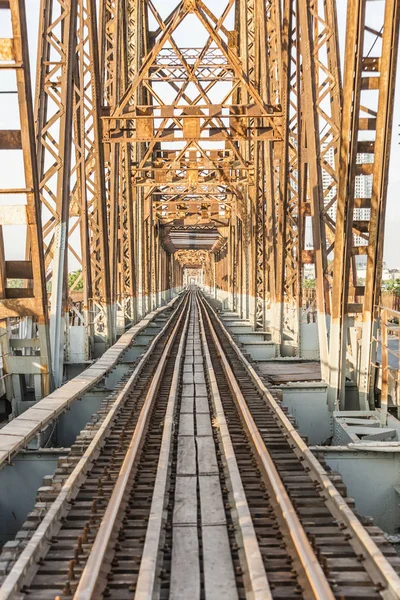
(192, 482)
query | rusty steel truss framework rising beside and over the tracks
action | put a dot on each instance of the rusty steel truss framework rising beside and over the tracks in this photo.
(158, 130)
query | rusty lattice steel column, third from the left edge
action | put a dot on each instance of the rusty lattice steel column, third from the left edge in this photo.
(90, 166)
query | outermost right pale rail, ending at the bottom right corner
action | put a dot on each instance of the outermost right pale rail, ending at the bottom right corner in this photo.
(376, 565)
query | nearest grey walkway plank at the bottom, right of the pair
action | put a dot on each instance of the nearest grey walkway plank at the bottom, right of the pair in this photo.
(219, 577)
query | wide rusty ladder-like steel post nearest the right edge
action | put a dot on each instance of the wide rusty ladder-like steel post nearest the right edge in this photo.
(370, 69)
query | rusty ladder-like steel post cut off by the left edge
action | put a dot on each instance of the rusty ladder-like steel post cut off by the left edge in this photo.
(23, 307)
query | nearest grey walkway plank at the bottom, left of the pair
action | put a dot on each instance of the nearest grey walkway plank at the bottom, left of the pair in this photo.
(185, 565)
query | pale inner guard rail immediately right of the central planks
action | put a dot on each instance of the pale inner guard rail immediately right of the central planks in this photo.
(255, 571)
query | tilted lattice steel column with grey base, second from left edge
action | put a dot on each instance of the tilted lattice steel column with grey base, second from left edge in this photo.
(54, 101)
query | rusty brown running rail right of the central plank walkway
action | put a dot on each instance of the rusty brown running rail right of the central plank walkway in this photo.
(310, 572)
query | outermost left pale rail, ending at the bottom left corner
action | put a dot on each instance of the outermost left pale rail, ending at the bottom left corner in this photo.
(25, 567)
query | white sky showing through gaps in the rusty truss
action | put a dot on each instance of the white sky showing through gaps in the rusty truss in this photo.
(15, 236)
